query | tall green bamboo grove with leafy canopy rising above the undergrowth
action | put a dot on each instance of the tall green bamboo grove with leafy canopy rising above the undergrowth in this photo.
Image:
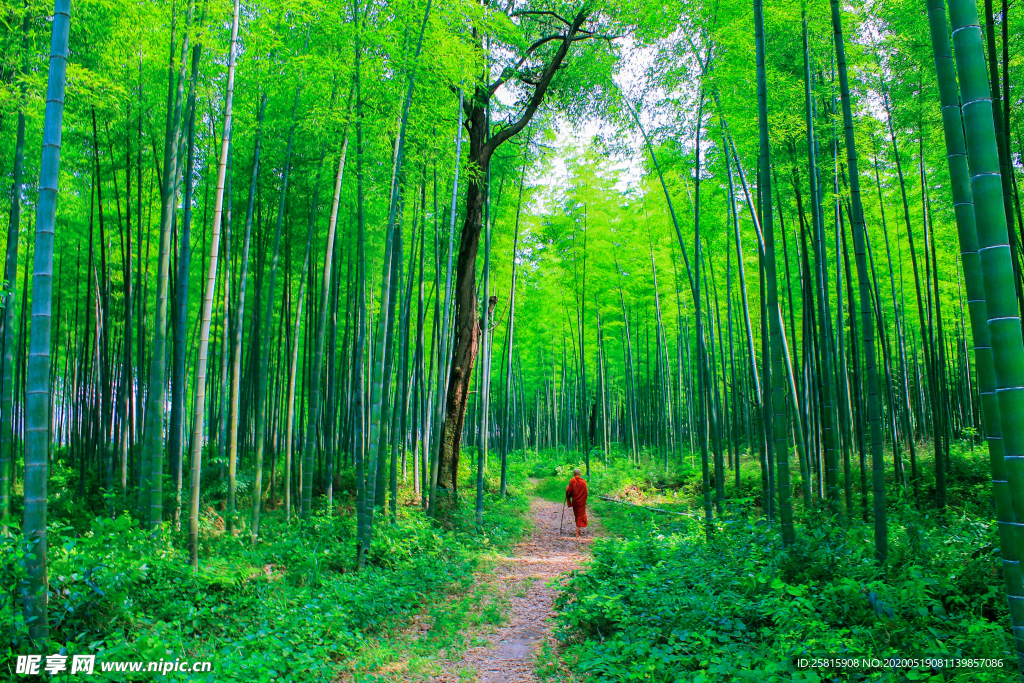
(269, 306)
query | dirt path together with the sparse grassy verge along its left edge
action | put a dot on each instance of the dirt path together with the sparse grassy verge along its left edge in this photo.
(499, 630)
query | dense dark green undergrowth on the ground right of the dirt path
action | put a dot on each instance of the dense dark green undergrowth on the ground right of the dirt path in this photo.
(662, 602)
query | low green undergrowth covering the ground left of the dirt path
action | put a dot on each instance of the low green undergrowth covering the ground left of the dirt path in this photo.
(289, 609)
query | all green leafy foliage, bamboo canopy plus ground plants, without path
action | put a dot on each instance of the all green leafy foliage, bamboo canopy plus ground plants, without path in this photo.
(291, 608)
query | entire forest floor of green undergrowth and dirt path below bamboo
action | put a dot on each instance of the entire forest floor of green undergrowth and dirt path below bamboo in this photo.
(651, 597)
